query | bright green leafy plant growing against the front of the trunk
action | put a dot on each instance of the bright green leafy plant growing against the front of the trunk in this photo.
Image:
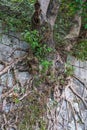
(39, 50)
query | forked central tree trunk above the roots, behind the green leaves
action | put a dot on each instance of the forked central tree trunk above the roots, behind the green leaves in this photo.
(46, 16)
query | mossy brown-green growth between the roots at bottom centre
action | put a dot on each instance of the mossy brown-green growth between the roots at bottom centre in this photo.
(32, 114)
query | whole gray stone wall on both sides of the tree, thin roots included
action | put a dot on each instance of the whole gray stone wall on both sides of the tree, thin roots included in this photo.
(71, 115)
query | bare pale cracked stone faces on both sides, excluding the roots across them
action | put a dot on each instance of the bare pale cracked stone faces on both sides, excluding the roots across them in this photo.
(64, 114)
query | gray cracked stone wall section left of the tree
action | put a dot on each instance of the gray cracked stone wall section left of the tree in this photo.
(11, 49)
